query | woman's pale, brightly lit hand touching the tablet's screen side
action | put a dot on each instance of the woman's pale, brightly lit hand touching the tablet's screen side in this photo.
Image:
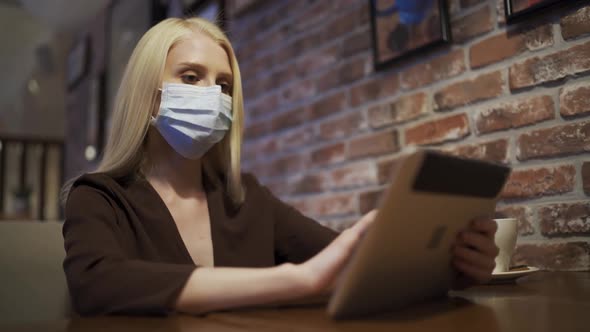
(320, 272)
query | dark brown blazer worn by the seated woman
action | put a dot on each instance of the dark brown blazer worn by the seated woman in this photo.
(124, 253)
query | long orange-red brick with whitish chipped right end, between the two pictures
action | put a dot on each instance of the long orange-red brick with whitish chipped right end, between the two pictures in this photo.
(507, 45)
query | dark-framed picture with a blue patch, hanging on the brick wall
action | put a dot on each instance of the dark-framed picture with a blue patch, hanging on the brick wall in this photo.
(401, 28)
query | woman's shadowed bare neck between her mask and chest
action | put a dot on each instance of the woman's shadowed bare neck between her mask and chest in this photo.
(168, 170)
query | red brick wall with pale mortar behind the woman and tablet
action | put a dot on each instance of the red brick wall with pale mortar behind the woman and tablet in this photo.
(323, 128)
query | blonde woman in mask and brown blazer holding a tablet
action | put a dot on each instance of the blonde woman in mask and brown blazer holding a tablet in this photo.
(168, 201)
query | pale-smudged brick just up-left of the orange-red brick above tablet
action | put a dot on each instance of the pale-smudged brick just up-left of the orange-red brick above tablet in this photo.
(404, 109)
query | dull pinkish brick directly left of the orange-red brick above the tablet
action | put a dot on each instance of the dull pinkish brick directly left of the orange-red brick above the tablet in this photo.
(374, 144)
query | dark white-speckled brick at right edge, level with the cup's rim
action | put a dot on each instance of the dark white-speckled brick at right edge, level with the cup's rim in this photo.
(565, 219)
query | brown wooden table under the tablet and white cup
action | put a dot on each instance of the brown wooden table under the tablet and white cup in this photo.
(546, 301)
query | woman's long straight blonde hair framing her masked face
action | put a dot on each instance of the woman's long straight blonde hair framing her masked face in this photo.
(138, 95)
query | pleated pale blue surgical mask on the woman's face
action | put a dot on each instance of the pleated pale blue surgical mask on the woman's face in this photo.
(192, 119)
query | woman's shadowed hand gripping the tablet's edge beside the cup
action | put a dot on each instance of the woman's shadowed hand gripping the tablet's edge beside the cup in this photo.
(474, 253)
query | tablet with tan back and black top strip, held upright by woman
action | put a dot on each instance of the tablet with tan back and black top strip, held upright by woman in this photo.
(405, 256)
